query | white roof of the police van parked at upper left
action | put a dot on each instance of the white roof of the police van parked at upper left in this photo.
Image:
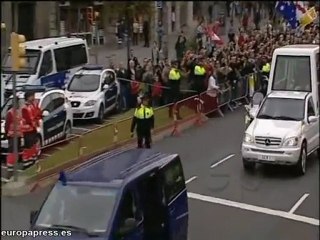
(49, 42)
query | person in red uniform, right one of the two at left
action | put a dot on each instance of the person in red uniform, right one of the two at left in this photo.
(30, 130)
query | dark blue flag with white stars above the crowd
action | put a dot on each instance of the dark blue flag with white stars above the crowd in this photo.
(288, 10)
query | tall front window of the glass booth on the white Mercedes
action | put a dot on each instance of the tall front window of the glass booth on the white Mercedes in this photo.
(292, 73)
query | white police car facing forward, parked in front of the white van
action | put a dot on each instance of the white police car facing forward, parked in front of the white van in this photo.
(93, 92)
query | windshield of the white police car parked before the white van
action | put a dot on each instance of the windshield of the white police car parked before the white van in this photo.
(84, 83)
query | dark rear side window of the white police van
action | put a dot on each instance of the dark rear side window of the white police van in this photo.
(70, 57)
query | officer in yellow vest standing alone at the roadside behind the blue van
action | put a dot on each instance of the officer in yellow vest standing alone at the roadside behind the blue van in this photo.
(143, 121)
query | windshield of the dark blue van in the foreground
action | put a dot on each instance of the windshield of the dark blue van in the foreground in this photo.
(82, 207)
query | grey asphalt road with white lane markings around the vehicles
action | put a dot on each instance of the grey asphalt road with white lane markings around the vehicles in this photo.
(225, 202)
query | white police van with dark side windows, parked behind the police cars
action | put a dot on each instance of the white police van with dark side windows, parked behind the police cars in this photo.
(50, 62)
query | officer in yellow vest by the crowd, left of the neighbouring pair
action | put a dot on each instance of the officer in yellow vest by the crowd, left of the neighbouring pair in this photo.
(174, 82)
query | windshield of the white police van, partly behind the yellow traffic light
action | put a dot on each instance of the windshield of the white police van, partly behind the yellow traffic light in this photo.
(32, 60)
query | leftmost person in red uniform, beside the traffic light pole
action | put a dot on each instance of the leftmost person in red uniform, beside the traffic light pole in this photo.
(14, 114)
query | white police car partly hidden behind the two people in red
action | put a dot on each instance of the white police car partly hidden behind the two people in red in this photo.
(57, 119)
